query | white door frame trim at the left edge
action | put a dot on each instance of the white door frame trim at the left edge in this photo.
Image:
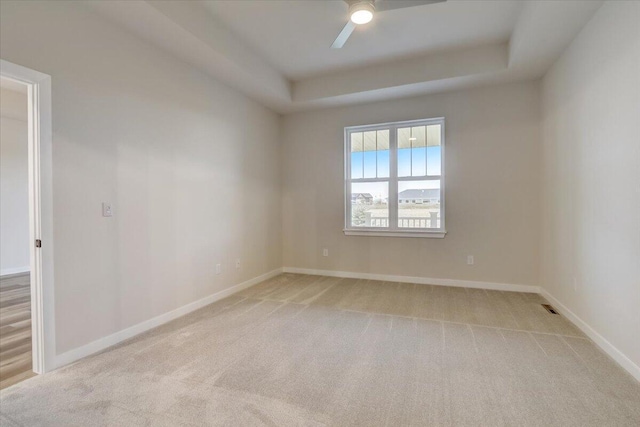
(40, 211)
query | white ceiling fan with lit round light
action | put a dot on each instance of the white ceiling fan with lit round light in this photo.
(361, 12)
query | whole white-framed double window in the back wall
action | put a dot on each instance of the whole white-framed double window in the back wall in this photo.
(394, 183)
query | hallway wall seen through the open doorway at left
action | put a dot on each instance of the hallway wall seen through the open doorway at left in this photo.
(14, 183)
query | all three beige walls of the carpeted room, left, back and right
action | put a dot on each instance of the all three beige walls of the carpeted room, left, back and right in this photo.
(193, 170)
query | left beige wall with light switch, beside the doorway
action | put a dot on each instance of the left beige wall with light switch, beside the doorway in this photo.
(191, 167)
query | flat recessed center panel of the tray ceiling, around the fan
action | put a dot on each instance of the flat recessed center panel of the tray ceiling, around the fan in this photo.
(295, 36)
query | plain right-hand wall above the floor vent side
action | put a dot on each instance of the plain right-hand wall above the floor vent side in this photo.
(591, 177)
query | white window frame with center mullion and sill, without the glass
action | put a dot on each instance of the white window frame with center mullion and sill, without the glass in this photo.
(393, 230)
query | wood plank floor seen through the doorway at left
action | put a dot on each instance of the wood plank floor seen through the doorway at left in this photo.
(15, 329)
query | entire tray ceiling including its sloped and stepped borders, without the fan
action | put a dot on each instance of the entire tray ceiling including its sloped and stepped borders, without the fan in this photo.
(278, 52)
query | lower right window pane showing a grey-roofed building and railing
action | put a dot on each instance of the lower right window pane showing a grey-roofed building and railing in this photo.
(419, 204)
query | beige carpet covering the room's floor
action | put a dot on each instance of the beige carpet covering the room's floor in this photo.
(311, 350)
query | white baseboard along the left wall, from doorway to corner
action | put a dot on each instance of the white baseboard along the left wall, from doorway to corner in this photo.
(113, 339)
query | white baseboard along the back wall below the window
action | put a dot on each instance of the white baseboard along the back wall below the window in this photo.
(420, 280)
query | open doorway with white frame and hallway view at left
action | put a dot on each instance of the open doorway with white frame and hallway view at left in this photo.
(27, 341)
